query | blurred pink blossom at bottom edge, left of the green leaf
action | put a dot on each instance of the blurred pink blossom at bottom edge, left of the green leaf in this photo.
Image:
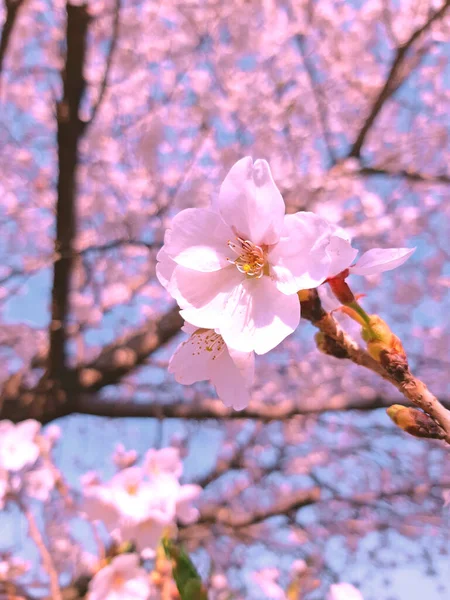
(122, 579)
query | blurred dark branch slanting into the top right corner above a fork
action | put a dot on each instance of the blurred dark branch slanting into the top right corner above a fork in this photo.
(392, 81)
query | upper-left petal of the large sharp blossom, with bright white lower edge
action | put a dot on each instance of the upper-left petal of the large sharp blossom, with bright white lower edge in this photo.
(199, 240)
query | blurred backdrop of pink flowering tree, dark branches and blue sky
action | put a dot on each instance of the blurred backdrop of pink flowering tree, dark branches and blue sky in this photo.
(117, 114)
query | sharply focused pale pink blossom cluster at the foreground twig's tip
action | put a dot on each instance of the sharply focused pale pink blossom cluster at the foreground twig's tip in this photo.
(235, 270)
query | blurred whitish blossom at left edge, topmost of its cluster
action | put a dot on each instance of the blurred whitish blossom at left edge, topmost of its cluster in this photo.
(18, 447)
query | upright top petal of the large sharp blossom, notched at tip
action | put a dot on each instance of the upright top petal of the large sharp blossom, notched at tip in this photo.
(250, 202)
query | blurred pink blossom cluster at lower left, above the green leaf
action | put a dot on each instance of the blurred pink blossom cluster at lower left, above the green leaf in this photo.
(141, 504)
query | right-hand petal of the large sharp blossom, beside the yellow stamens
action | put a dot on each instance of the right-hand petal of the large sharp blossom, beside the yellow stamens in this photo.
(300, 259)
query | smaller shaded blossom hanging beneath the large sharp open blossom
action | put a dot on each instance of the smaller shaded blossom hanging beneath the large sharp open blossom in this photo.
(205, 356)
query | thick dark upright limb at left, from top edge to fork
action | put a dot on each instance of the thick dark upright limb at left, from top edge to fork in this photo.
(70, 130)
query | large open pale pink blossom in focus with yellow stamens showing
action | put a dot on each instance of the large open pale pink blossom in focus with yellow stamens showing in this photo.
(240, 264)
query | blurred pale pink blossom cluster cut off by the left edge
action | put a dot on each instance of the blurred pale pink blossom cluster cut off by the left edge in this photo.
(25, 468)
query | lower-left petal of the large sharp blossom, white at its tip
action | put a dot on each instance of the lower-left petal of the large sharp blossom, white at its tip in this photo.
(204, 296)
